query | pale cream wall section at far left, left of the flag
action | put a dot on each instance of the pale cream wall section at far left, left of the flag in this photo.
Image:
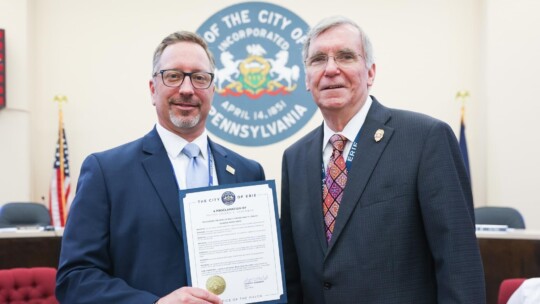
(15, 128)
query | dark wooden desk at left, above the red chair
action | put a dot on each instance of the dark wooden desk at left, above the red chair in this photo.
(29, 248)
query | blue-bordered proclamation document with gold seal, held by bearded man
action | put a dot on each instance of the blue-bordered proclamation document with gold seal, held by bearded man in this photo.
(233, 243)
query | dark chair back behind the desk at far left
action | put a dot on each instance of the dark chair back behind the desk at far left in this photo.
(24, 214)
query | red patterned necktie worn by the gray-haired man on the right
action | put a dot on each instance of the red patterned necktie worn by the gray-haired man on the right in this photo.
(334, 184)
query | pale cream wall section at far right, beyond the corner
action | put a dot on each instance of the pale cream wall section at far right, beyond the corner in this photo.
(512, 66)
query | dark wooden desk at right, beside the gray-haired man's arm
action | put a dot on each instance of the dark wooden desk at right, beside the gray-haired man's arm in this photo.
(513, 254)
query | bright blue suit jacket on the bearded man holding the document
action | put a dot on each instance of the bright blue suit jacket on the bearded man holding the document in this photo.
(123, 239)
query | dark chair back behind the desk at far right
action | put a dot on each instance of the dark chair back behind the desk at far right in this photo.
(499, 216)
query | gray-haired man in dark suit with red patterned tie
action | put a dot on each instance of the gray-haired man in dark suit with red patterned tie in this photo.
(388, 218)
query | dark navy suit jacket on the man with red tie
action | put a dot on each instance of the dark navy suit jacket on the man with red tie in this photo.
(405, 228)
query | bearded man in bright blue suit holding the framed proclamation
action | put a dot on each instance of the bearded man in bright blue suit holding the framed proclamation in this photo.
(123, 239)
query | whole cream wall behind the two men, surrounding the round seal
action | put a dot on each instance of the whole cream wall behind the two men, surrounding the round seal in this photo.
(98, 53)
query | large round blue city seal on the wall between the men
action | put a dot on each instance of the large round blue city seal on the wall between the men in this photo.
(260, 93)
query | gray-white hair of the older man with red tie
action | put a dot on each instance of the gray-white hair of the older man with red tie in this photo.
(334, 21)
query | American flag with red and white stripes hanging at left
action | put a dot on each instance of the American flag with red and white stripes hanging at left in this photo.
(60, 182)
